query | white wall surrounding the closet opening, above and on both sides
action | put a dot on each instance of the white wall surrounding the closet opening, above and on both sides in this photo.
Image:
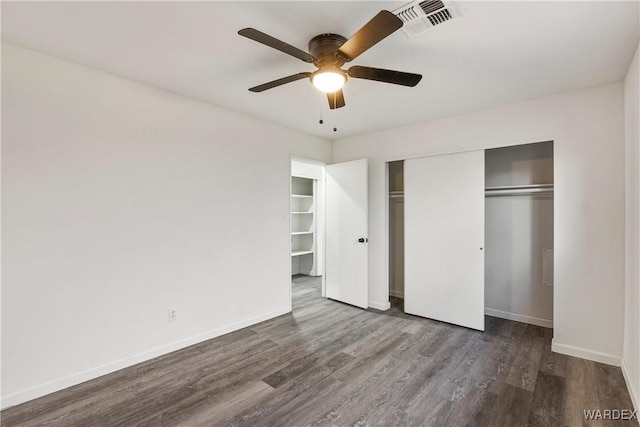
(588, 132)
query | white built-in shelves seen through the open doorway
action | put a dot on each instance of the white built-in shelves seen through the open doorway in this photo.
(303, 227)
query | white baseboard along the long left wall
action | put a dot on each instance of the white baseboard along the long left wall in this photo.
(89, 374)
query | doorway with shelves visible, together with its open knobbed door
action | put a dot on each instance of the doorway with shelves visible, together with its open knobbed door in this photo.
(329, 225)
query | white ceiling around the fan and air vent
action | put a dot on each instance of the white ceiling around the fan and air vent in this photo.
(495, 53)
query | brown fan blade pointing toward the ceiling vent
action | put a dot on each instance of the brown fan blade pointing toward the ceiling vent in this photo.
(381, 26)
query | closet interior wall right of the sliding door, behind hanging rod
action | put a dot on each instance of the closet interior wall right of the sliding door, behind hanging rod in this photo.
(517, 230)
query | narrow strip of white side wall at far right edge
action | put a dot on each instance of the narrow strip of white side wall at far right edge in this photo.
(631, 355)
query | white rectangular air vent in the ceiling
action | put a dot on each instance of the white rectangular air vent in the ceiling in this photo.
(419, 16)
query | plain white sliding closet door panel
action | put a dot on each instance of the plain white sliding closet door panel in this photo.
(444, 238)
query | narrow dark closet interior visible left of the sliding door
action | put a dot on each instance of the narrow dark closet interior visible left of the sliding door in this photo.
(396, 229)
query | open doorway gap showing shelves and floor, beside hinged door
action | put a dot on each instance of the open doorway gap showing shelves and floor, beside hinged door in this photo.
(307, 227)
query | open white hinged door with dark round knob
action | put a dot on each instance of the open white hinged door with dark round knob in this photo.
(346, 260)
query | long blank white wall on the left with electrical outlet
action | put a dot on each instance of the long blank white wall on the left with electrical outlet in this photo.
(121, 201)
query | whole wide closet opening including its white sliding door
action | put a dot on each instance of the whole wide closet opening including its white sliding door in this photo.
(471, 234)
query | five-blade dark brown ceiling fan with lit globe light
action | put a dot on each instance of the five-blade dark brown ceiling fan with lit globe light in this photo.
(329, 52)
